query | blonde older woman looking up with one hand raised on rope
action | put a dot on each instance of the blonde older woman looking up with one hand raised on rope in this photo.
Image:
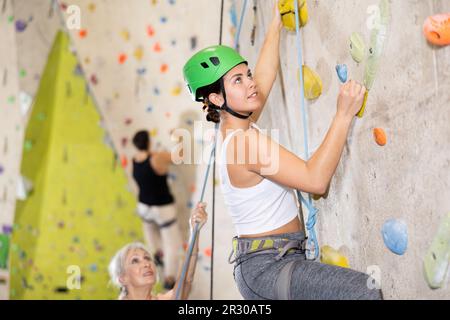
(134, 272)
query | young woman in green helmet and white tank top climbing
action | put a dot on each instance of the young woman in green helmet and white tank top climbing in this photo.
(270, 260)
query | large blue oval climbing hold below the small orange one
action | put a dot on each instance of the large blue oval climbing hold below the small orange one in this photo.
(395, 236)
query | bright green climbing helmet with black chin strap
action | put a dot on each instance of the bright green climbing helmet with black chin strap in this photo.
(209, 65)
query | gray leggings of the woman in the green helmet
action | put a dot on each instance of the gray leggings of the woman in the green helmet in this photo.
(256, 276)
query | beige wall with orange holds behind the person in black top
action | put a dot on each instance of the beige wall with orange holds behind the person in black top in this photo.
(132, 54)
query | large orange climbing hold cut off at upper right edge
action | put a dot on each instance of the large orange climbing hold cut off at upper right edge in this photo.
(437, 29)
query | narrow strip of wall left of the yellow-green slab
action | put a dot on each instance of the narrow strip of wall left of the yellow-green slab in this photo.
(25, 45)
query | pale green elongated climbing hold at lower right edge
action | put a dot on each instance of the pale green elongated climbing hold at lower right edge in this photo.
(437, 258)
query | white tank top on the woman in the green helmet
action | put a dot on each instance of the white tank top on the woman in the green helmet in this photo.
(261, 208)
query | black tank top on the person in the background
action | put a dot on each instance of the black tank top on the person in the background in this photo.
(153, 188)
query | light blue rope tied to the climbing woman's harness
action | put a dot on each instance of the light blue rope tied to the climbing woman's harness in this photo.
(312, 217)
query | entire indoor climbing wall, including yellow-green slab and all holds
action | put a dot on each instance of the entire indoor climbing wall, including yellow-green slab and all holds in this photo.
(122, 69)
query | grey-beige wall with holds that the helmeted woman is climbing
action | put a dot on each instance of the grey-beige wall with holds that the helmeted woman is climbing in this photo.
(387, 207)
